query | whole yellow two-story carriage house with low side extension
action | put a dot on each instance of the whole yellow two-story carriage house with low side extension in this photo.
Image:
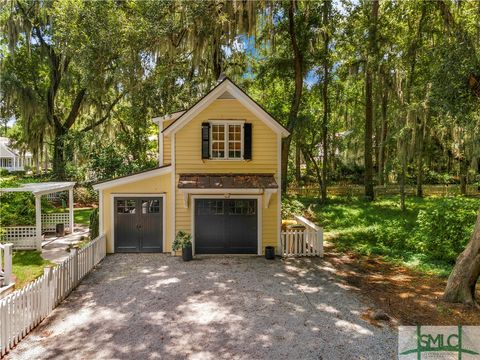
(218, 178)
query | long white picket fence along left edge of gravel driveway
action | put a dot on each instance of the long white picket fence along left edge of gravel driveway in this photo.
(24, 309)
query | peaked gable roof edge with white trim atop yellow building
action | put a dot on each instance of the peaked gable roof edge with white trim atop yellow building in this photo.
(232, 91)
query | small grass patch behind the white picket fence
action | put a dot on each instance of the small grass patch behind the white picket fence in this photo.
(27, 266)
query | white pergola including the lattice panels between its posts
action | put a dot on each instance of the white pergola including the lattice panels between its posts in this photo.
(21, 236)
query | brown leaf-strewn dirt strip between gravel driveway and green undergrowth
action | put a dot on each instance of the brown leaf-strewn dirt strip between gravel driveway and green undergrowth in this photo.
(409, 297)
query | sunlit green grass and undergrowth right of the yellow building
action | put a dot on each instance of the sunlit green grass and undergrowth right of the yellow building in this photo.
(428, 236)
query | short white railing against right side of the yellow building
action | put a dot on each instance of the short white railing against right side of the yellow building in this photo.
(303, 242)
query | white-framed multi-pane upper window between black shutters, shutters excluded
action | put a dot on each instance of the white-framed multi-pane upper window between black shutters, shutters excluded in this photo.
(227, 140)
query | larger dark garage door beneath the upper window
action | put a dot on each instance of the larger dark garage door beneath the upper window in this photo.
(226, 226)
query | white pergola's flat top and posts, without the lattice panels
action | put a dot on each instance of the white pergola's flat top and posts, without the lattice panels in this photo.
(45, 188)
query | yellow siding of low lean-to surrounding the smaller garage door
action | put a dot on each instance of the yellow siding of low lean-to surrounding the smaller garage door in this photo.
(156, 185)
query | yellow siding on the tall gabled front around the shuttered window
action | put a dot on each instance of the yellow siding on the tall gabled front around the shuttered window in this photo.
(264, 160)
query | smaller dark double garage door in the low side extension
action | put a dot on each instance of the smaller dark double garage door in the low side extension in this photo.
(138, 224)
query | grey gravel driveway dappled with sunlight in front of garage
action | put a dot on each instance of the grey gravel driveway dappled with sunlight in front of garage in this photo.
(149, 306)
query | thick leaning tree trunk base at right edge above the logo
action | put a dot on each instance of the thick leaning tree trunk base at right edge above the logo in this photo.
(464, 276)
